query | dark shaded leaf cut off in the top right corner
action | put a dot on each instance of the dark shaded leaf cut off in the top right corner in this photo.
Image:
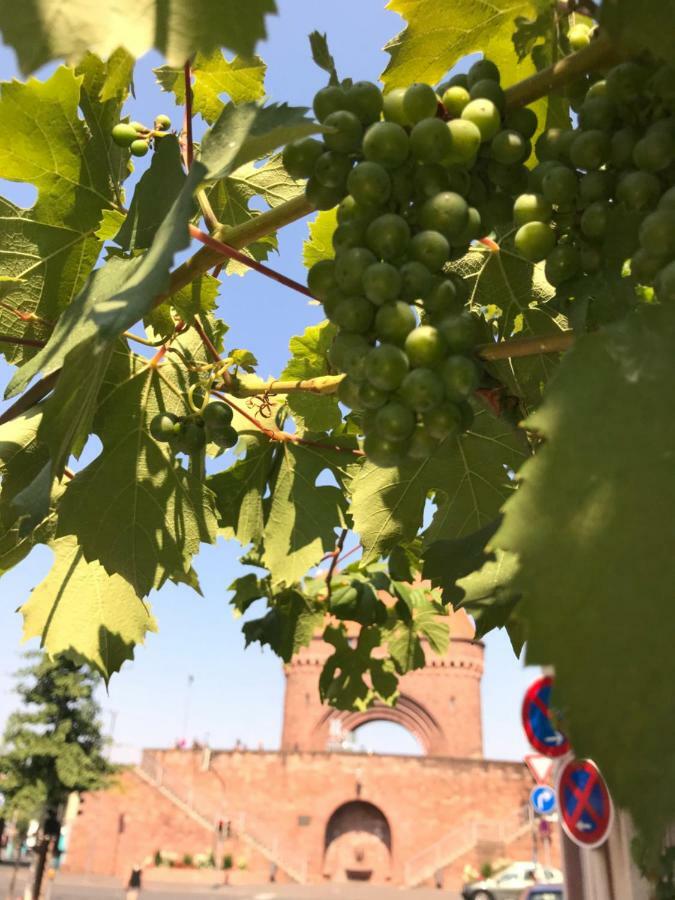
(651, 30)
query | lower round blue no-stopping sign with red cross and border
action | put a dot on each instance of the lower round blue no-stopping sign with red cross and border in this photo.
(586, 810)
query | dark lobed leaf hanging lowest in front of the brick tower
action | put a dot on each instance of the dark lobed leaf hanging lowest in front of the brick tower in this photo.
(351, 677)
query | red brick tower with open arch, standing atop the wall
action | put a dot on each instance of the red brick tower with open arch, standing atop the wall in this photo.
(439, 704)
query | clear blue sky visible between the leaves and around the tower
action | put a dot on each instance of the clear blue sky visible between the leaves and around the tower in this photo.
(237, 694)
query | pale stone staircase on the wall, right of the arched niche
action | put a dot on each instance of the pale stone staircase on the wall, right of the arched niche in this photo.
(460, 841)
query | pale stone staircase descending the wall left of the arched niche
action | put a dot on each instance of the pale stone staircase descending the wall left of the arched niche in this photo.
(207, 811)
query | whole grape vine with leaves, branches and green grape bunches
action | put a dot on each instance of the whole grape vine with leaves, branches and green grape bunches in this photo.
(492, 245)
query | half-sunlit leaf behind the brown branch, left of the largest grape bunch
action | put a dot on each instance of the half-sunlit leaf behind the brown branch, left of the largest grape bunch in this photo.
(230, 199)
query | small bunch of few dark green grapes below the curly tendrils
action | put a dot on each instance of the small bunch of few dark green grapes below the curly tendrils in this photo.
(190, 434)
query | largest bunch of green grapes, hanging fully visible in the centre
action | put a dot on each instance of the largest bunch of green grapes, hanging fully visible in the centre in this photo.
(416, 175)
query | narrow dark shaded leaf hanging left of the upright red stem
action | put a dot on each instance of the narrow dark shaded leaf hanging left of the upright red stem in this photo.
(155, 194)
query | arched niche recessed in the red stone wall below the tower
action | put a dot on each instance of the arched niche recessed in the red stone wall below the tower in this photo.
(357, 844)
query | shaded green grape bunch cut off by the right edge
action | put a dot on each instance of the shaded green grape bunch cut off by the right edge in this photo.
(611, 176)
